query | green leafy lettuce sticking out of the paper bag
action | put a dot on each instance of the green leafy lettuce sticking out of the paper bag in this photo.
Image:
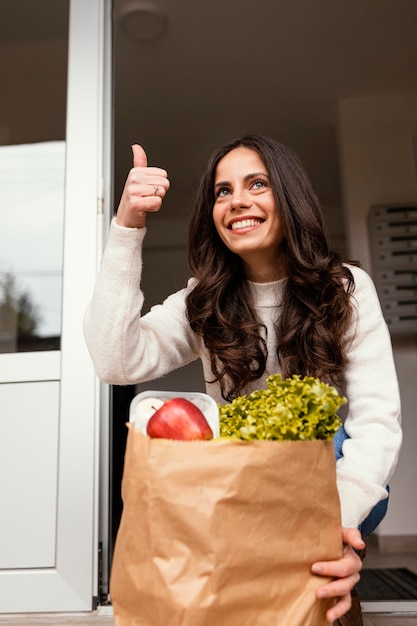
(291, 409)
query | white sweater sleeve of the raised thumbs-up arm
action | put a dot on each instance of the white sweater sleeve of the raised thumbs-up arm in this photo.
(125, 347)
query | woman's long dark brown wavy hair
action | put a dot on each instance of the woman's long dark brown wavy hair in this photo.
(316, 306)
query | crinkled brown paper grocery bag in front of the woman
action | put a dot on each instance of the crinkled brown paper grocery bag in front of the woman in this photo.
(223, 533)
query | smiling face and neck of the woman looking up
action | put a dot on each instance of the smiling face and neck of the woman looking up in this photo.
(245, 215)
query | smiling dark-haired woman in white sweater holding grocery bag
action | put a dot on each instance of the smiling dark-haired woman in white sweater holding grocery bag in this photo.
(267, 296)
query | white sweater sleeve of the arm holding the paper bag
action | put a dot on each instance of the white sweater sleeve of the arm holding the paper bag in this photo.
(373, 418)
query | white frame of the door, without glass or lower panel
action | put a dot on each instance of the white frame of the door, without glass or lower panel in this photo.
(72, 583)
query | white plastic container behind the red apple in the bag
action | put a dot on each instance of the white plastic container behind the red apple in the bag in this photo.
(140, 416)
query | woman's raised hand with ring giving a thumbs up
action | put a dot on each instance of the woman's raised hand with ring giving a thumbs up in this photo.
(144, 190)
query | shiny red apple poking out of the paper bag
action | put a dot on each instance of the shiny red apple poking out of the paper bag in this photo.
(179, 418)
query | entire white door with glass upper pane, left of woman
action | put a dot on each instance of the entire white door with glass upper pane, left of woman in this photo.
(52, 166)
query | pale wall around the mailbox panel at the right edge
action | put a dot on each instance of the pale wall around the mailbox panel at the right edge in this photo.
(378, 166)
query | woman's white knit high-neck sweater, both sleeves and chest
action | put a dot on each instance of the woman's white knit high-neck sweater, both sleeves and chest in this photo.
(128, 349)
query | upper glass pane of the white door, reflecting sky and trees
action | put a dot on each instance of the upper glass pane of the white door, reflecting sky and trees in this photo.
(33, 74)
